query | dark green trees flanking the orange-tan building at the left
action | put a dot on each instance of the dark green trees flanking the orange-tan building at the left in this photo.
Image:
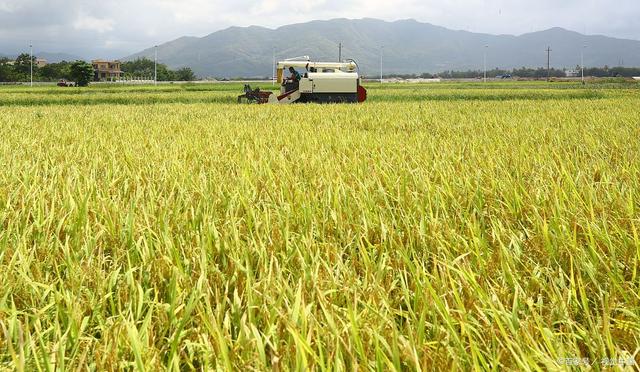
(19, 70)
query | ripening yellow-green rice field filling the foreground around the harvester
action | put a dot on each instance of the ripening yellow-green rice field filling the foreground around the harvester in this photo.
(436, 227)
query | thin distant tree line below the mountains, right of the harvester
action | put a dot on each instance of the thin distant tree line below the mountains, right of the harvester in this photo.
(524, 72)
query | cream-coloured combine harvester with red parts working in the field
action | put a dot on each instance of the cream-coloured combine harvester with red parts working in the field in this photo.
(323, 82)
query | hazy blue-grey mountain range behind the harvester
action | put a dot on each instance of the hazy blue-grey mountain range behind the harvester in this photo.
(408, 47)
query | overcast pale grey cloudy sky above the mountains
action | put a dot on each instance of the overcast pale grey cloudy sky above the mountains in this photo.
(115, 28)
